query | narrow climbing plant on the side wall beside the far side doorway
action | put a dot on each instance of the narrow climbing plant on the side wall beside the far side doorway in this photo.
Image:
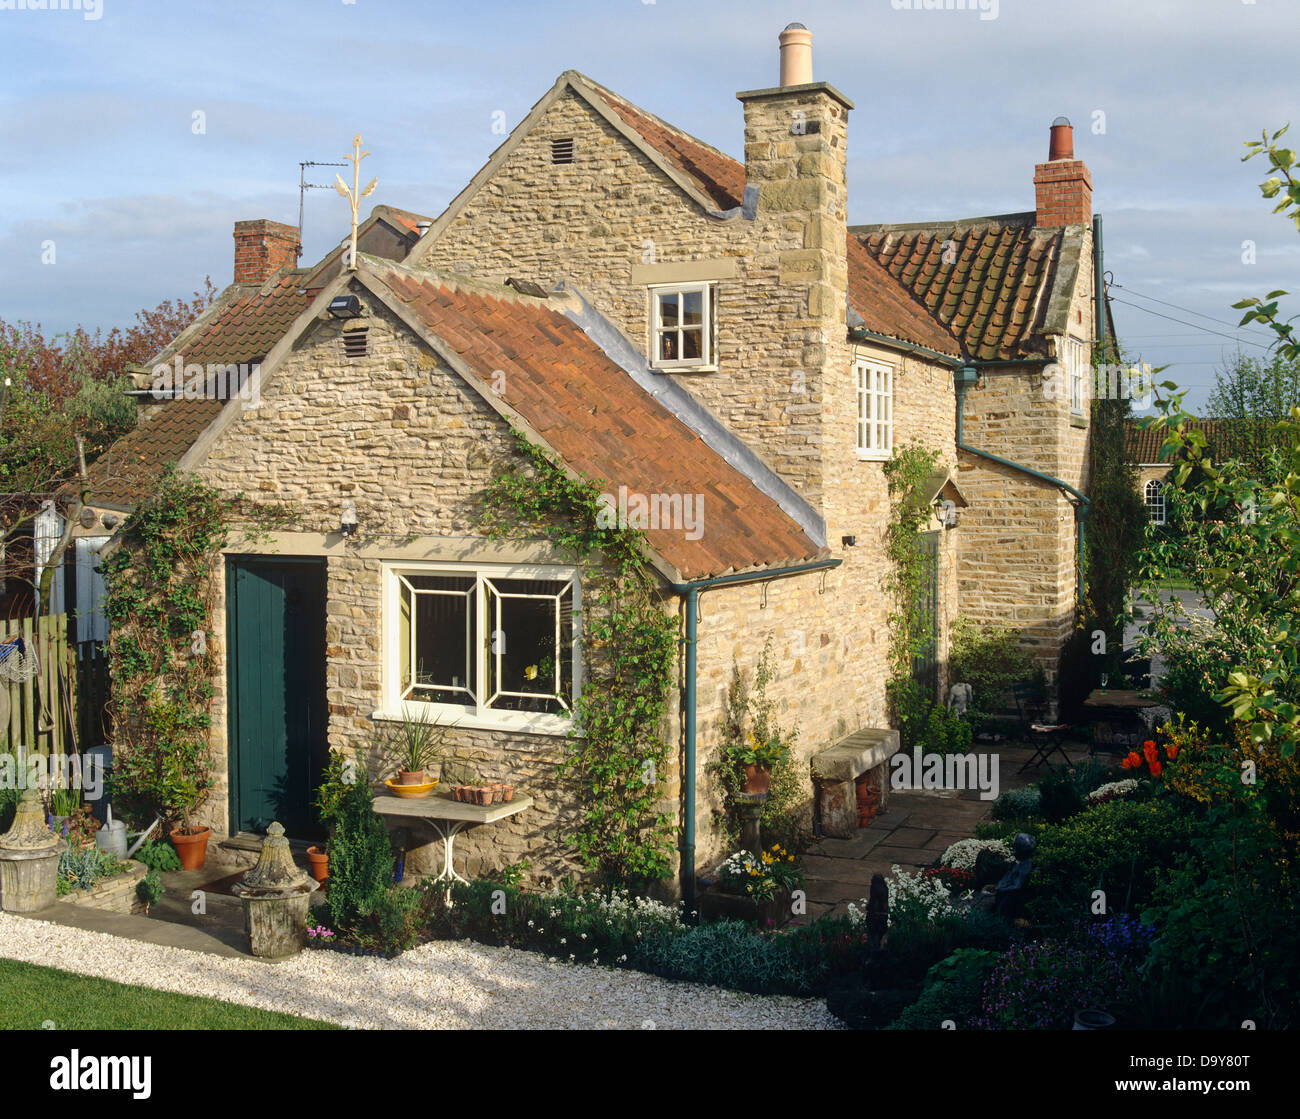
(907, 472)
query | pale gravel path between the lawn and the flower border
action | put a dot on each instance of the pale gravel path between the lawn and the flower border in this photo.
(440, 986)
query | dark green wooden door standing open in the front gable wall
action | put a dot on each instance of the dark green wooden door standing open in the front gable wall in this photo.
(276, 640)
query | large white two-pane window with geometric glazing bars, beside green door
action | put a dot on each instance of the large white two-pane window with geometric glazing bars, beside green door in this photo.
(488, 647)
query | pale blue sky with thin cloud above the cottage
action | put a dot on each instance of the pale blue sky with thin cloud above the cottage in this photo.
(99, 153)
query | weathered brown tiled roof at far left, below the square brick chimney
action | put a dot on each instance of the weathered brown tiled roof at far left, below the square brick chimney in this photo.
(240, 328)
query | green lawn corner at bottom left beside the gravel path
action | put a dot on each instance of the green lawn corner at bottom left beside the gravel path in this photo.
(33, 996)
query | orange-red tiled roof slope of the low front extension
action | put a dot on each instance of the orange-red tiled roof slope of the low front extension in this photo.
(604, 426)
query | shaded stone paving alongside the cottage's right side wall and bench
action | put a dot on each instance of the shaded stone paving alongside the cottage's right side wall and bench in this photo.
(917, 830)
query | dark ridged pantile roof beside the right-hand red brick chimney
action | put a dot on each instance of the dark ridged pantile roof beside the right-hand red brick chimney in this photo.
(989, 281)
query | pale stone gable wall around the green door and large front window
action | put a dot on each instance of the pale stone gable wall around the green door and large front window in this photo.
(404, 437)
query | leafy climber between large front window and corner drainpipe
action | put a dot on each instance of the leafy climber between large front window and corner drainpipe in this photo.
(617, 751)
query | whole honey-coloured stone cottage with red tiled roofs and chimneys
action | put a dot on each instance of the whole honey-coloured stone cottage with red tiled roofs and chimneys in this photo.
(694, 331)
